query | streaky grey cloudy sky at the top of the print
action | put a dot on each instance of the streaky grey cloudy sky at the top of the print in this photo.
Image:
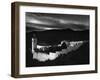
(43, 21)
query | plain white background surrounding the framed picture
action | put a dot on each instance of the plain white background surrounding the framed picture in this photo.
(5, 40)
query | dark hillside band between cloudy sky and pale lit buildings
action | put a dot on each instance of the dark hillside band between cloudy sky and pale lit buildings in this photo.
(55, 36)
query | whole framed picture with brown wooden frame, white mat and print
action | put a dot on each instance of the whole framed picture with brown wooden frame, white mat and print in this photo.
(52, 39)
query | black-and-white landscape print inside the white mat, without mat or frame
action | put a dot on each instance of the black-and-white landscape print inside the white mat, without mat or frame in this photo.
(56, 39)
